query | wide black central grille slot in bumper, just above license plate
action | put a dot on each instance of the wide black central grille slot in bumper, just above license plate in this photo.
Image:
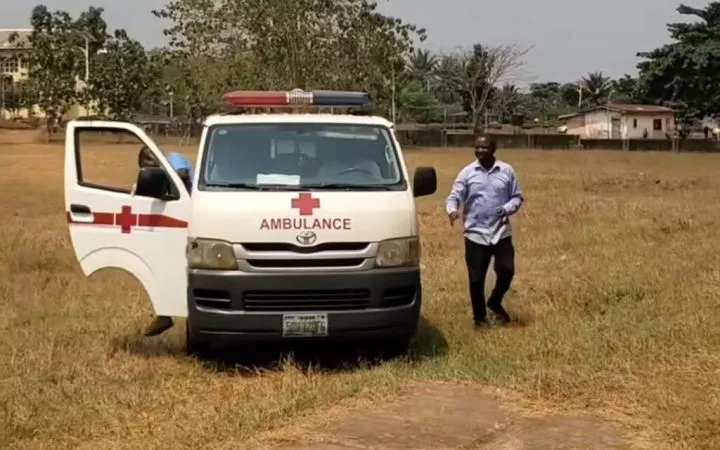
(307, 300)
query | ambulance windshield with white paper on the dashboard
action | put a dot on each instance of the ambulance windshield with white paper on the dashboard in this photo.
(300, 155)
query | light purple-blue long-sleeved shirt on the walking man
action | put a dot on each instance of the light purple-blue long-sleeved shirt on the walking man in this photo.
(482, 191)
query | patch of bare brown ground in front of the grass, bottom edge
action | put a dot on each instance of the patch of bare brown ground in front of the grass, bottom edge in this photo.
(459, 416)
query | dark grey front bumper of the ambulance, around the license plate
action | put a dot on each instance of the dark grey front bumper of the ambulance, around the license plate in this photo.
(250, 306)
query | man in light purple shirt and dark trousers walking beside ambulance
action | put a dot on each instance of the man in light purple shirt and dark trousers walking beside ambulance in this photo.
(490, 194)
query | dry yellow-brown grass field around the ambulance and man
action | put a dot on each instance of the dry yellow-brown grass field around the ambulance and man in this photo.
(618, 276)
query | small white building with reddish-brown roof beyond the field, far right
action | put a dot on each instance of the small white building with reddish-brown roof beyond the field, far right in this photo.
(621, 121)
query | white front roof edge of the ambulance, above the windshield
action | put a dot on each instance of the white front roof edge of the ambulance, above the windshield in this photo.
(228, 119)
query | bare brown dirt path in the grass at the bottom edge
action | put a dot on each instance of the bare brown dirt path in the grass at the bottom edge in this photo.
(460, 417)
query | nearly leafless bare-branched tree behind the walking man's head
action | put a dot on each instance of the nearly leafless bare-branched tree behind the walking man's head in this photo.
(478, 71)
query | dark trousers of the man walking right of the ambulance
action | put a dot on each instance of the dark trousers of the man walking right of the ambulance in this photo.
(477, 259)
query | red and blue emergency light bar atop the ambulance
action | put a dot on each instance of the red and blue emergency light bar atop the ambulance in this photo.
(297, 98)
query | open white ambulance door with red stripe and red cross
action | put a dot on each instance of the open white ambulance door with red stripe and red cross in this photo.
(132, 224)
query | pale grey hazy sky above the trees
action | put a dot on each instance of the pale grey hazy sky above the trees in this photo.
(568, 38)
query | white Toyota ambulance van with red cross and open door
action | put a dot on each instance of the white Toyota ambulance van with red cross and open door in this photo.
(297, 225)
